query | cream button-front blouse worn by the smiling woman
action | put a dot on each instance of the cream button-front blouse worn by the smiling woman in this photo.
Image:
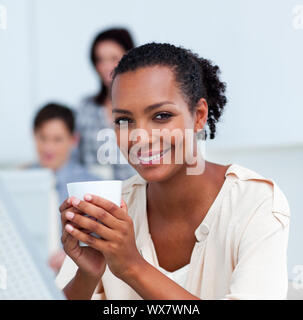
(241, 245)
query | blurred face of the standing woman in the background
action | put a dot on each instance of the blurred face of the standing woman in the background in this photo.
(108, 53)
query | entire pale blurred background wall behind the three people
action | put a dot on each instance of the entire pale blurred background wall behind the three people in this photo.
(44, 56)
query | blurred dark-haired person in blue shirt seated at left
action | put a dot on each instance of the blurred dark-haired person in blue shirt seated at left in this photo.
(55, 139)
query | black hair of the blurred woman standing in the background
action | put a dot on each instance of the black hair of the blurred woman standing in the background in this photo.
(118, 35)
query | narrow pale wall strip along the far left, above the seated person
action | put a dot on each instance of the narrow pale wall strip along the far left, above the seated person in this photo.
(16, 85)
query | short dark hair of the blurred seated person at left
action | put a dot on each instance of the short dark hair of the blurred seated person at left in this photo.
(53, 111)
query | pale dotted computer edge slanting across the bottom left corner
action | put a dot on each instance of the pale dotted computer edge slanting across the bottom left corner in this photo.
(23, 273)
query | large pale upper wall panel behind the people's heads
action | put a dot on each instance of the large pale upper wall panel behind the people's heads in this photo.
(253, 42)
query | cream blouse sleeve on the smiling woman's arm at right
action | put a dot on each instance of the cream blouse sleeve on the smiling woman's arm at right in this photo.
(261, 269)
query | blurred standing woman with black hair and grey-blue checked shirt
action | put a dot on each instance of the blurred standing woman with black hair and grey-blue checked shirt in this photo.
(94, 113)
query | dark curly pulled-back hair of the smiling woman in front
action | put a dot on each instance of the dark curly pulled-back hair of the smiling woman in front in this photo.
(196, 77)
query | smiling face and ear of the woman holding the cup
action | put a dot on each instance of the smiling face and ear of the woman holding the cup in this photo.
(150, 100)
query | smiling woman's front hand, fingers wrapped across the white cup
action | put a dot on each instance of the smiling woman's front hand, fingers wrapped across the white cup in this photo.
(117, 241)
